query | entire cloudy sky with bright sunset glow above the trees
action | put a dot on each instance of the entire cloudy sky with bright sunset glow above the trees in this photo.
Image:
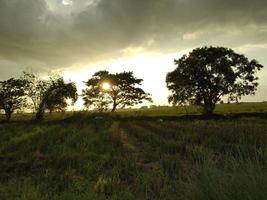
(80, 37)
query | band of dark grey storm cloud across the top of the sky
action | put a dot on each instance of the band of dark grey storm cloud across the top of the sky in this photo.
(89, 30)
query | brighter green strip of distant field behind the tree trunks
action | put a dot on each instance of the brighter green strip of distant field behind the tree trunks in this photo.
(221, 109)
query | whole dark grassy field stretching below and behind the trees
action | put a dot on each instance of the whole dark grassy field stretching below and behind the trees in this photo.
(140, 154)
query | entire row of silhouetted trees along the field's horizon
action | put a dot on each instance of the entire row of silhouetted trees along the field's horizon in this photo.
(201, 78)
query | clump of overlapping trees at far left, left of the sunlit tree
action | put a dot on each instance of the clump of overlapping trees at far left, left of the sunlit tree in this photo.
(31, 92)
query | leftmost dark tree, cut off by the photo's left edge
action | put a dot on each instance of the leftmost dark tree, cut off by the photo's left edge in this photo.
(12, 96)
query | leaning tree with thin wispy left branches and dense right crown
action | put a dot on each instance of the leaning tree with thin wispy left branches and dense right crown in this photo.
(49, 94)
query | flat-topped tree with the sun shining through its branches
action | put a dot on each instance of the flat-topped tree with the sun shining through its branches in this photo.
(118, 90)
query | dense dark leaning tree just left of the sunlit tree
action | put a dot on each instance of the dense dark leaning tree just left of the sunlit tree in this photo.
(54, 95)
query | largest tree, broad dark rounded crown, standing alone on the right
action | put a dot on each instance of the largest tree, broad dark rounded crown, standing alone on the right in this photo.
(207, 74)
